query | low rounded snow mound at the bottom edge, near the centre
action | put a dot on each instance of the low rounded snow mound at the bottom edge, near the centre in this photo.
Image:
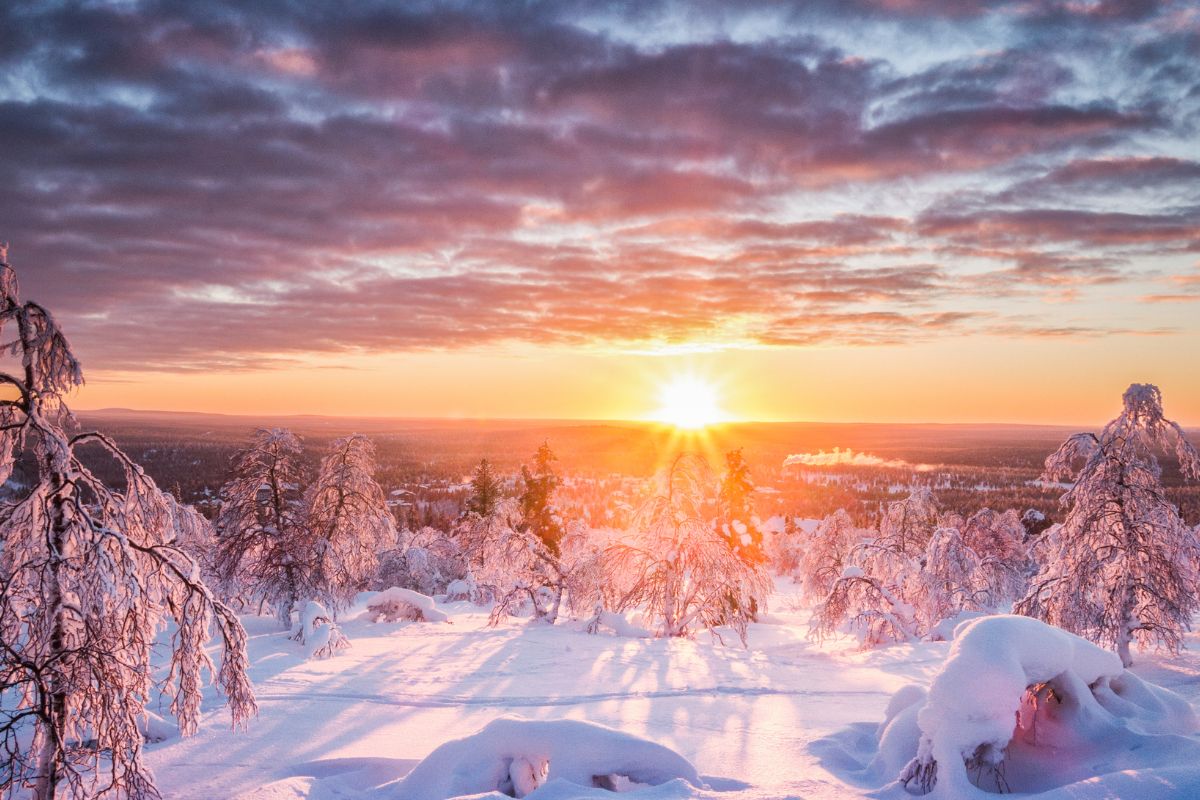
(515, 757)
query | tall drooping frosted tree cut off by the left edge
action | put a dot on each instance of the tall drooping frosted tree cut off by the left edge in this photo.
(89, 576)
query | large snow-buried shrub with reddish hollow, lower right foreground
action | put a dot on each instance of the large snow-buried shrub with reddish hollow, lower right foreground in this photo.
(1066, 695)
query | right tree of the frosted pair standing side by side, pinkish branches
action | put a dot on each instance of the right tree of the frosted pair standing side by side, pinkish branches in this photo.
(347, 521)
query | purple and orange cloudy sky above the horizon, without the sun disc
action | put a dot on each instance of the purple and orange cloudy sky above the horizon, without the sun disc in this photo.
(854, 210)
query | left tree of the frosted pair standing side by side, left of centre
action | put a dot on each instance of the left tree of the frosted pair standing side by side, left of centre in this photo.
(263, 539)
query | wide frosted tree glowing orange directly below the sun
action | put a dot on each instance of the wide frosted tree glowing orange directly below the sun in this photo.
(679, 566)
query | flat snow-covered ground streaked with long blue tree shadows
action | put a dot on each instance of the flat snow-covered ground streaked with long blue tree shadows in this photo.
(779, 719)
